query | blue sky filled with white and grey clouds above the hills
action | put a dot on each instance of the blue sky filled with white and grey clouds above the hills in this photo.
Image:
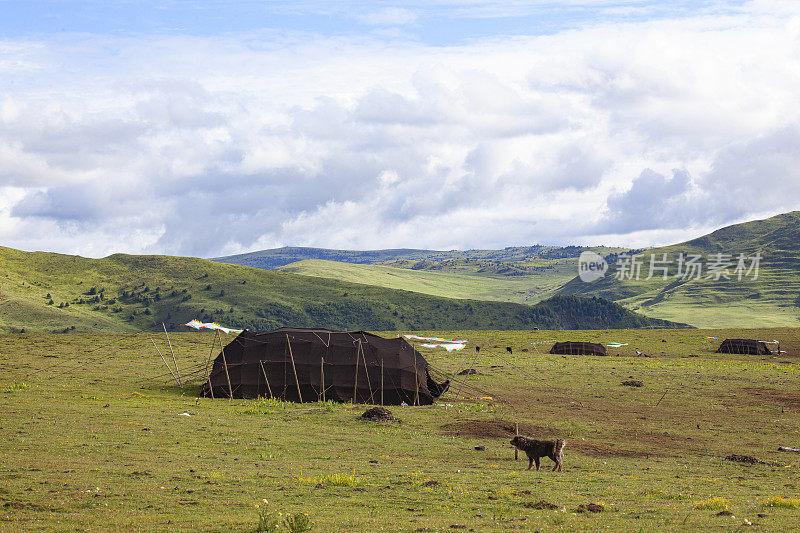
(210, 127)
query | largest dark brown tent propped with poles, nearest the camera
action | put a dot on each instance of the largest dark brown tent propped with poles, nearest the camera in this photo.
(293, 363)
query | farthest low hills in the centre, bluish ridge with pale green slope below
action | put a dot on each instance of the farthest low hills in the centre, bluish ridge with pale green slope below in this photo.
(520, 274)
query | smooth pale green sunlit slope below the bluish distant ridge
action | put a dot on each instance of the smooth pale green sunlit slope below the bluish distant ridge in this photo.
(529, 288)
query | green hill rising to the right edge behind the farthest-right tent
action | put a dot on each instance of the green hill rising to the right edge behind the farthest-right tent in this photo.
(773, 299)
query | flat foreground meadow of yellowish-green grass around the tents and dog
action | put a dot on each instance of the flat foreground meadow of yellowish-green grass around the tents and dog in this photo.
(95, 438)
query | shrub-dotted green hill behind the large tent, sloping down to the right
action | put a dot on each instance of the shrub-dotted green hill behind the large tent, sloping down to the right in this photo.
(54, 292)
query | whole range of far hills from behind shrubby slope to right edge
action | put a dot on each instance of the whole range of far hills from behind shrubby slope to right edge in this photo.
(534, 273)
